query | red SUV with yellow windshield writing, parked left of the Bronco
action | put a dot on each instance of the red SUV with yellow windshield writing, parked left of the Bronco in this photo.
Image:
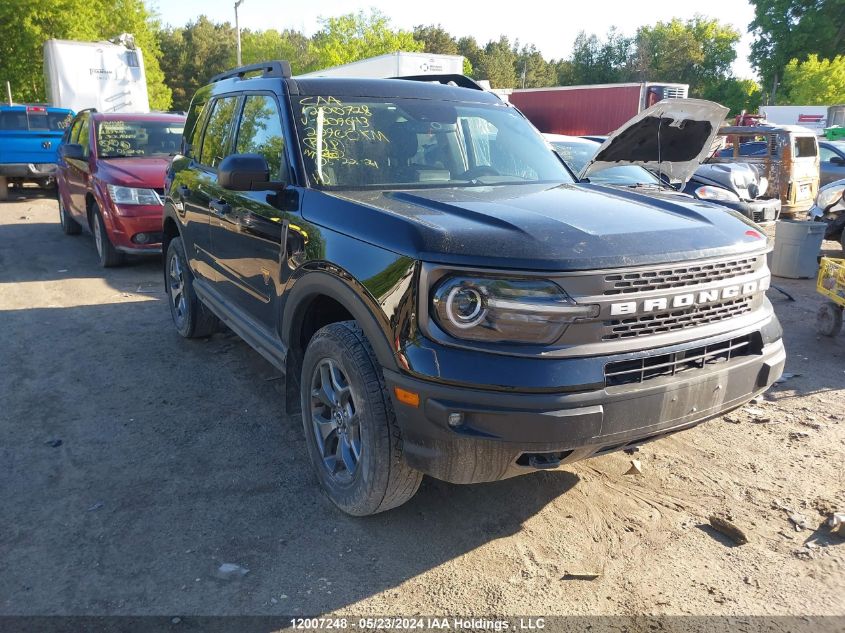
(110, 178)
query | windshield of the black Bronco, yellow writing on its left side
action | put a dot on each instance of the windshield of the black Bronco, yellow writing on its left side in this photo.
(402, 143)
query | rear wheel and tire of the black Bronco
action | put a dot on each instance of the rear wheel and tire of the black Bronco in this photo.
(191, 318)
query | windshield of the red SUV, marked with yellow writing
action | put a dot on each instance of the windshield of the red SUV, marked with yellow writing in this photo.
(124, 139)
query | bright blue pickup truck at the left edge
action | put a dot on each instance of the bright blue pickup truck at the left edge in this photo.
(29, 139)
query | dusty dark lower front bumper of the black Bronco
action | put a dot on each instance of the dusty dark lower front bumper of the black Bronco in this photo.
(501, 433)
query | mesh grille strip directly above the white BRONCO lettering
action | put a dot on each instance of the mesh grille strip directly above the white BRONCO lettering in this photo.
(677, 277)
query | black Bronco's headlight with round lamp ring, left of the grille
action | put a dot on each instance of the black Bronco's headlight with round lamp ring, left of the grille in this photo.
(494, 309)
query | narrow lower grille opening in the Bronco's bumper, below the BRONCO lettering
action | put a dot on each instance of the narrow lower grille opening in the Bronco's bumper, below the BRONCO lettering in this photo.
(637, 371)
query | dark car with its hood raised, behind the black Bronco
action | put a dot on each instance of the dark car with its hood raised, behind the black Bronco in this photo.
(625, 159)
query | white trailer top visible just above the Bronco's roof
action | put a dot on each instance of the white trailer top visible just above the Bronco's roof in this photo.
(396, 65)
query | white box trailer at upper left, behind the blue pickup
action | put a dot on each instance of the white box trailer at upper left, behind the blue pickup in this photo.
(108, 77)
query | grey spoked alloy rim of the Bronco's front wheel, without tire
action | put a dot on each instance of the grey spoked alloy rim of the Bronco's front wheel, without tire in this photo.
(335, 420)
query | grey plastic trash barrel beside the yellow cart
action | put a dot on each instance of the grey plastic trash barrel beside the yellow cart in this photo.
(797, 246)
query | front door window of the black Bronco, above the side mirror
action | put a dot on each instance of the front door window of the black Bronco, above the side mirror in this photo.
(260, 132)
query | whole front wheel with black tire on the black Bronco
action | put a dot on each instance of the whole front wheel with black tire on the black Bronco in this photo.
(378, 478)
